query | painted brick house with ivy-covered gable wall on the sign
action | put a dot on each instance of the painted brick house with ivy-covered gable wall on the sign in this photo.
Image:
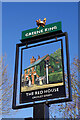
(38, 71)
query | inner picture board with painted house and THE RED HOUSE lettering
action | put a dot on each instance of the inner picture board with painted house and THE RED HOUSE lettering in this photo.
(43, 73)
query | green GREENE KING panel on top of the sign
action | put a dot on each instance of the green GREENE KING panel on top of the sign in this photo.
(54, 27)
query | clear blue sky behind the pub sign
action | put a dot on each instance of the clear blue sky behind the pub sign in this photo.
(17, 17)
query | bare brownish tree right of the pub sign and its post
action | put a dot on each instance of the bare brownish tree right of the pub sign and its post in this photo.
(71, 109)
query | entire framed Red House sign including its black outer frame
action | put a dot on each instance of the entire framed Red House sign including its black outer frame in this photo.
(40, 73)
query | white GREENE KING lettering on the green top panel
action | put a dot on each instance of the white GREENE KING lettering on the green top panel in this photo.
(44, 30)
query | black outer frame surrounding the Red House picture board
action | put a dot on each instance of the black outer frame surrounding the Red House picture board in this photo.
(14, 106)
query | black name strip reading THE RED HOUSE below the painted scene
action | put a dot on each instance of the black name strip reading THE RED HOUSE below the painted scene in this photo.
(43, 94)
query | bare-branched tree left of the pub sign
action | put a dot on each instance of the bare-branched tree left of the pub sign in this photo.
(5, 89)
